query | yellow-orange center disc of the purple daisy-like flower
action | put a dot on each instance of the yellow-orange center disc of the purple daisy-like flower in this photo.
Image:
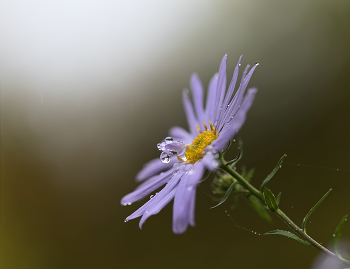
(195, 150)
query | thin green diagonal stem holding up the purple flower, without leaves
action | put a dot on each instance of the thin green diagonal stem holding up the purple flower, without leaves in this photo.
(279, 212)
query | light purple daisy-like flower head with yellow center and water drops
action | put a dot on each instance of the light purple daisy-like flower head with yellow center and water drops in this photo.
(186, 155)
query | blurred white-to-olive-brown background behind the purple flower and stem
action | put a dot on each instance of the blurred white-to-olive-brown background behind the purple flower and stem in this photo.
(88, 88)
